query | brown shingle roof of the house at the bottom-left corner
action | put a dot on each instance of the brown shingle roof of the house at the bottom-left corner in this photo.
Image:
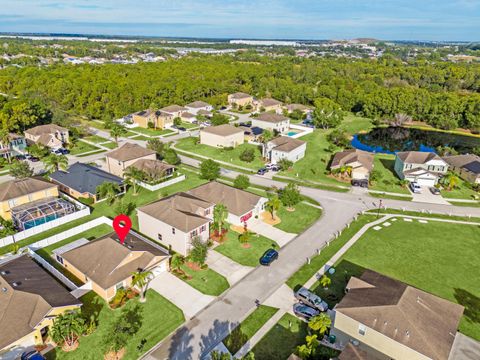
(23, 306)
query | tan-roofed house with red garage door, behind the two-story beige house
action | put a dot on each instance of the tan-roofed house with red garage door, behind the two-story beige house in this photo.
(242, 205)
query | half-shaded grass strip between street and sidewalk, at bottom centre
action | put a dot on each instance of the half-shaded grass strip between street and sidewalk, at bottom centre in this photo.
(248, 327)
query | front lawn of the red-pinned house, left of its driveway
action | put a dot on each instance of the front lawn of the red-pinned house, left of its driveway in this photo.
(159, 318)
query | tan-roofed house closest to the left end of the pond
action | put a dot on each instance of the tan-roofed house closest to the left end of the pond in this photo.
(361, 163)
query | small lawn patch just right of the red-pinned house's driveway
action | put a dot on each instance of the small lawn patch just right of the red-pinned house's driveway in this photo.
(206, 281)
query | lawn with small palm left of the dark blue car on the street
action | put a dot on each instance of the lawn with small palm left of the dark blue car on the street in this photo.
(248, 257)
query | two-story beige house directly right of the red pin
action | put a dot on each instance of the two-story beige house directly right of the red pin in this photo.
(176, 220)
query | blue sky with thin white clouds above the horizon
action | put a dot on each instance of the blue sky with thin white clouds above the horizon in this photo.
(286, 19)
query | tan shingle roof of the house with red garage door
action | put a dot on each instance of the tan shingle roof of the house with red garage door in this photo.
(238, 202)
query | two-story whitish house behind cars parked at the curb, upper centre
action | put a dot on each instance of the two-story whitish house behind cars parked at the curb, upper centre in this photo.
(285, 147)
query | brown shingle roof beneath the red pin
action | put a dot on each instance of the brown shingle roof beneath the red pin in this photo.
(107, 262)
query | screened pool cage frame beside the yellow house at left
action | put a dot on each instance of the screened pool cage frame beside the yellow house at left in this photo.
(39, 211)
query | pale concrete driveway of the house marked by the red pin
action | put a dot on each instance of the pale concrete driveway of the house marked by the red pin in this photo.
(188, 299)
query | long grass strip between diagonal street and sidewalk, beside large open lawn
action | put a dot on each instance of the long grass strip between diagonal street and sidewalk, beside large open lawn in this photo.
(317, 262)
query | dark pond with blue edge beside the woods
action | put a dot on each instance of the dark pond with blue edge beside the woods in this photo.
(389, 140)
